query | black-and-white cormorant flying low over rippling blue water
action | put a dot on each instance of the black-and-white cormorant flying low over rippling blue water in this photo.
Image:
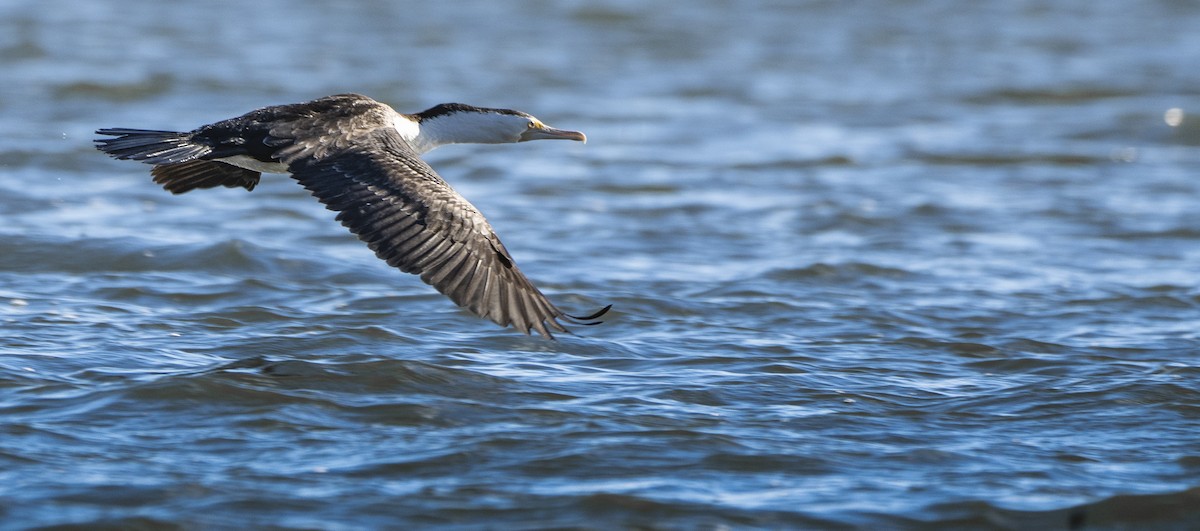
(363, 160)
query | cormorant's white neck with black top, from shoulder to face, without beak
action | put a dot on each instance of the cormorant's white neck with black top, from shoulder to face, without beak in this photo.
(452, 129)
